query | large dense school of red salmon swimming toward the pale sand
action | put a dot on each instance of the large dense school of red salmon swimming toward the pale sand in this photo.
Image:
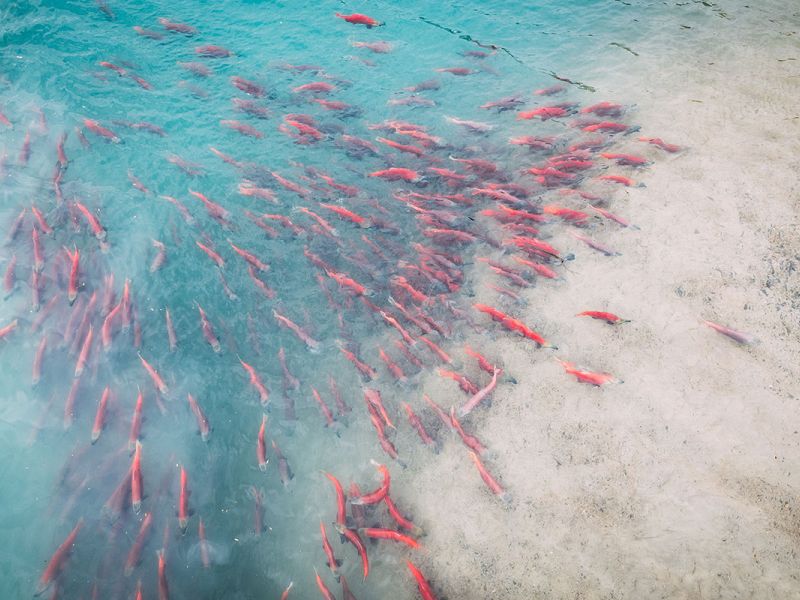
(392, 234)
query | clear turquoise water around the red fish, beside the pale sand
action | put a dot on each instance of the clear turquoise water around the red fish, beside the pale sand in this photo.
(51, 80)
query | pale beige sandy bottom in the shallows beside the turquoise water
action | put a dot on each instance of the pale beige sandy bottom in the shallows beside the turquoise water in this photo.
(683, 481)
